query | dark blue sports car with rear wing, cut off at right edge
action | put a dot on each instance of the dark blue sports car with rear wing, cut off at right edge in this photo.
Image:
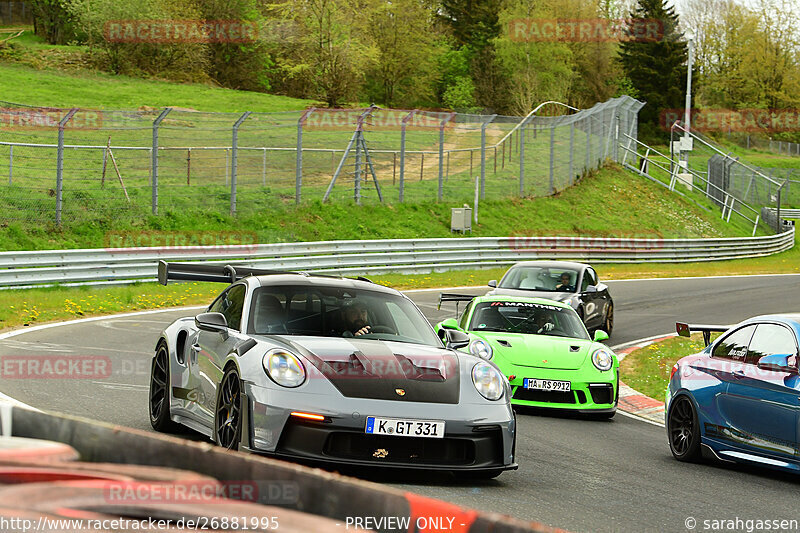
(739, 399)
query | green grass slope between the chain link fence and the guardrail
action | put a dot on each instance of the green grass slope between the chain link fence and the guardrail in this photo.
(610, 202)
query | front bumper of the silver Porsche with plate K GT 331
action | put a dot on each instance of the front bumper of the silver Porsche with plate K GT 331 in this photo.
(485, 442)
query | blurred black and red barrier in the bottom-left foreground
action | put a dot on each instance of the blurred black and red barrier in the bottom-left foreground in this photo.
(302, 498)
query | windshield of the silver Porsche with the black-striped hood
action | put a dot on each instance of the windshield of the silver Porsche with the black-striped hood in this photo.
(338, 312)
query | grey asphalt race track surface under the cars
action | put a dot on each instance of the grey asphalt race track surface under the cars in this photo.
(576, 474)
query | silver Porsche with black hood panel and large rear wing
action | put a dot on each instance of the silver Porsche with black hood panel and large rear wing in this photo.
(328, 369)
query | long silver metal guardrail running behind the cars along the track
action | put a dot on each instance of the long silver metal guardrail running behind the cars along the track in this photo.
(125, 265)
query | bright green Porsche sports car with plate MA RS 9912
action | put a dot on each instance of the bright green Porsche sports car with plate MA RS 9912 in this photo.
(544, 350)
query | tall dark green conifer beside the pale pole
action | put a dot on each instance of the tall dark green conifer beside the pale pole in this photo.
(656, 69)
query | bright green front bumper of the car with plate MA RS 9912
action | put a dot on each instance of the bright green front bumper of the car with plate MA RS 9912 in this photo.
(591, 391)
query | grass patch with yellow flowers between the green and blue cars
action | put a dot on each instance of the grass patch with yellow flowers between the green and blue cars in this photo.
(647, 369)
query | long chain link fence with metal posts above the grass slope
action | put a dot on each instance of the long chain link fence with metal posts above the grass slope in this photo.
(68, 166)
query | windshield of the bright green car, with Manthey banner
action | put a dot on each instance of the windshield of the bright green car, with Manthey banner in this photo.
(529, 318)
